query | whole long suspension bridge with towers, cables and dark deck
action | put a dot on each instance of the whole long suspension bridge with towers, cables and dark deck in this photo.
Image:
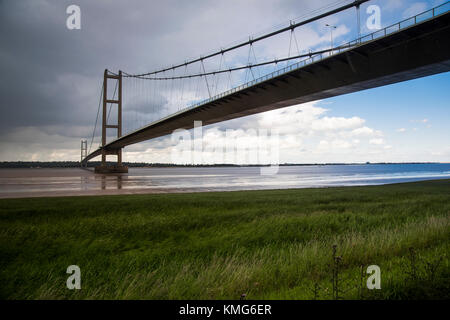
(213, 88)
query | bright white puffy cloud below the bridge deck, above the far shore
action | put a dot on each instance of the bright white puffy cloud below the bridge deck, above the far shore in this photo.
(305, 133)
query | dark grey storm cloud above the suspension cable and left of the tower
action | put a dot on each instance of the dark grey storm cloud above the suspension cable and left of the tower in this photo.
(51, 76)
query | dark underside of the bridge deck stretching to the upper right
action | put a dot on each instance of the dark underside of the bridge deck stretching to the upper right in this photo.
(419, 51)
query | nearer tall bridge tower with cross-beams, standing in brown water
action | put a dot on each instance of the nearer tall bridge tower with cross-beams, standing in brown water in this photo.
(104, 167)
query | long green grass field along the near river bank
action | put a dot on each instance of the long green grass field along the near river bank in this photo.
(267, 244)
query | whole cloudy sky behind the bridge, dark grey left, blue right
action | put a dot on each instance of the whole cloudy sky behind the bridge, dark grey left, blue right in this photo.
(51, 78)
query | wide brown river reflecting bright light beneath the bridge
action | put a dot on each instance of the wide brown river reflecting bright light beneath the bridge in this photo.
(61, 182)
